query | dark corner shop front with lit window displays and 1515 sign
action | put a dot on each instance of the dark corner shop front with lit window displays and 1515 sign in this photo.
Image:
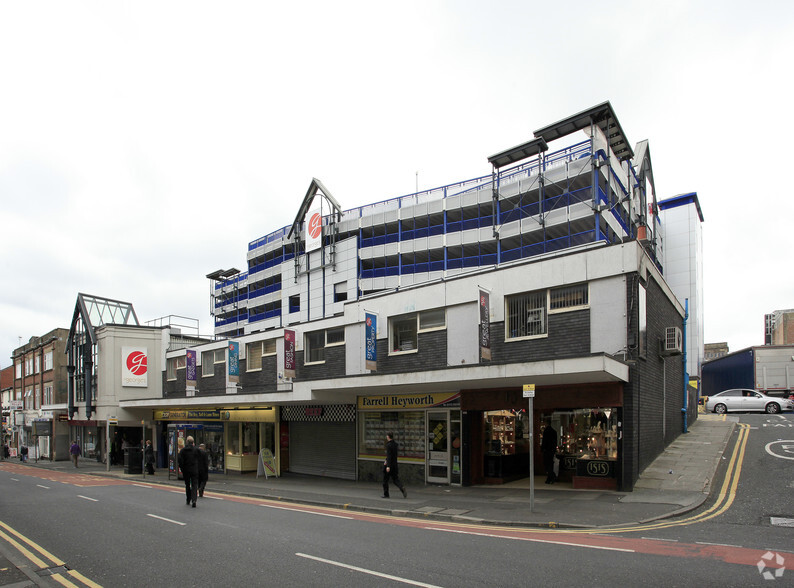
(586, 420)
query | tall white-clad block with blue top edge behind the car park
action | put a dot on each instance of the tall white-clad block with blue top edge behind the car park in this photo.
(682, 220)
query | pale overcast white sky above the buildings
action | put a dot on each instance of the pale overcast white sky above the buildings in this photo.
(144, 144)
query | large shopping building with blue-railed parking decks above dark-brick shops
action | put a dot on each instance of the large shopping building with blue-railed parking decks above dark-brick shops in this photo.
(464, 319)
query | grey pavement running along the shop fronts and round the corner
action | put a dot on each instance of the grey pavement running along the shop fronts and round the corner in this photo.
(678, 481)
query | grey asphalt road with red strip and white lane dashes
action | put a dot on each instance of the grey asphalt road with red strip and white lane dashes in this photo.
(115, 533)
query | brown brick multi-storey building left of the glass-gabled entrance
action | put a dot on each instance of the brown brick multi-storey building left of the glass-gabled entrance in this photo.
(40, 397)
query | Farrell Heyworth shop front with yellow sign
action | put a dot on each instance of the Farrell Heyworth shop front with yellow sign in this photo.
(427, 429)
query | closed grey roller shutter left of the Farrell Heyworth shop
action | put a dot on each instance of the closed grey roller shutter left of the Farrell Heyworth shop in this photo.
(323, 449)
